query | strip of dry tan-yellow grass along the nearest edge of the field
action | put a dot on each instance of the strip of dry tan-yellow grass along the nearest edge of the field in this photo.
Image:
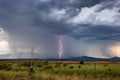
(5, 75)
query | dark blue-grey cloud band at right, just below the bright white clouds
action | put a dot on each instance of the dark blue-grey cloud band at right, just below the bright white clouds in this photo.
(99, 32)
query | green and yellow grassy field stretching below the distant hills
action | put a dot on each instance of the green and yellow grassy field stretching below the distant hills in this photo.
(59, 70)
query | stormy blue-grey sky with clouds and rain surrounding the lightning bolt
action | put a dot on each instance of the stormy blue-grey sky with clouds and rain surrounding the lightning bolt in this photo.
(89, 27)
